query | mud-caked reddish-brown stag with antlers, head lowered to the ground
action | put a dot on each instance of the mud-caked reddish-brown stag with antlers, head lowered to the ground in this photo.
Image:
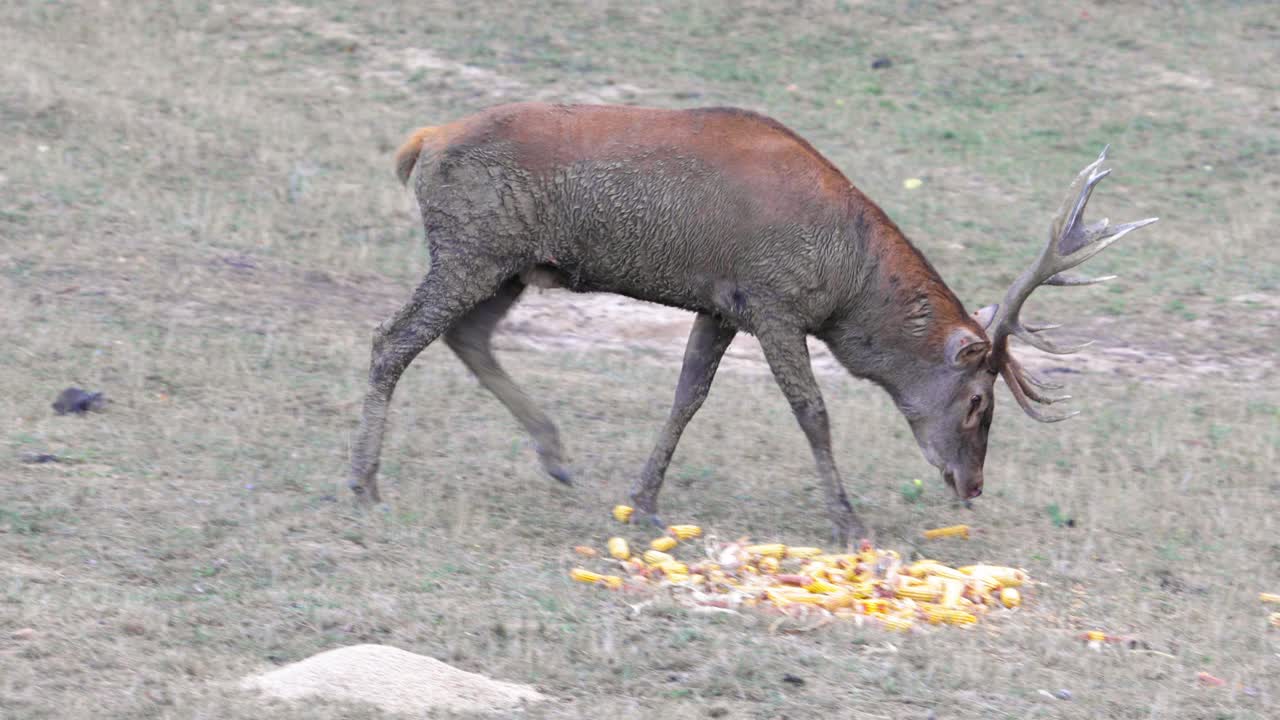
(734, 217)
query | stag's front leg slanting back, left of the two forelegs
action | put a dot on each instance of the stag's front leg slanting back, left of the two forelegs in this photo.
(707, 345)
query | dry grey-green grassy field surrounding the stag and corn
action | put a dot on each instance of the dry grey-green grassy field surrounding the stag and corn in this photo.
(199, 216)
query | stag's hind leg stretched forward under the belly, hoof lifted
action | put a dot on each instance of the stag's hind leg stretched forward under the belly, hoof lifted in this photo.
(472, 340)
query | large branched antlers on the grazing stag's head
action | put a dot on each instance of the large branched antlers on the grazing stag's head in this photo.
(1071, 243)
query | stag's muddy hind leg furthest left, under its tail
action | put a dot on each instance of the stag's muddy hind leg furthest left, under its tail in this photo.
(452, 288)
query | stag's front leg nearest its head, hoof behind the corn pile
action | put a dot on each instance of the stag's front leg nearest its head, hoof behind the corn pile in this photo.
(789, 359)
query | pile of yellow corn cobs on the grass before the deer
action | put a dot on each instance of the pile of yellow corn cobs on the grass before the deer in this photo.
(871, 585)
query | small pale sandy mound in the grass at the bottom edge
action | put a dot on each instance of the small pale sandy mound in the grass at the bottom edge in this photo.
(392, 680)
